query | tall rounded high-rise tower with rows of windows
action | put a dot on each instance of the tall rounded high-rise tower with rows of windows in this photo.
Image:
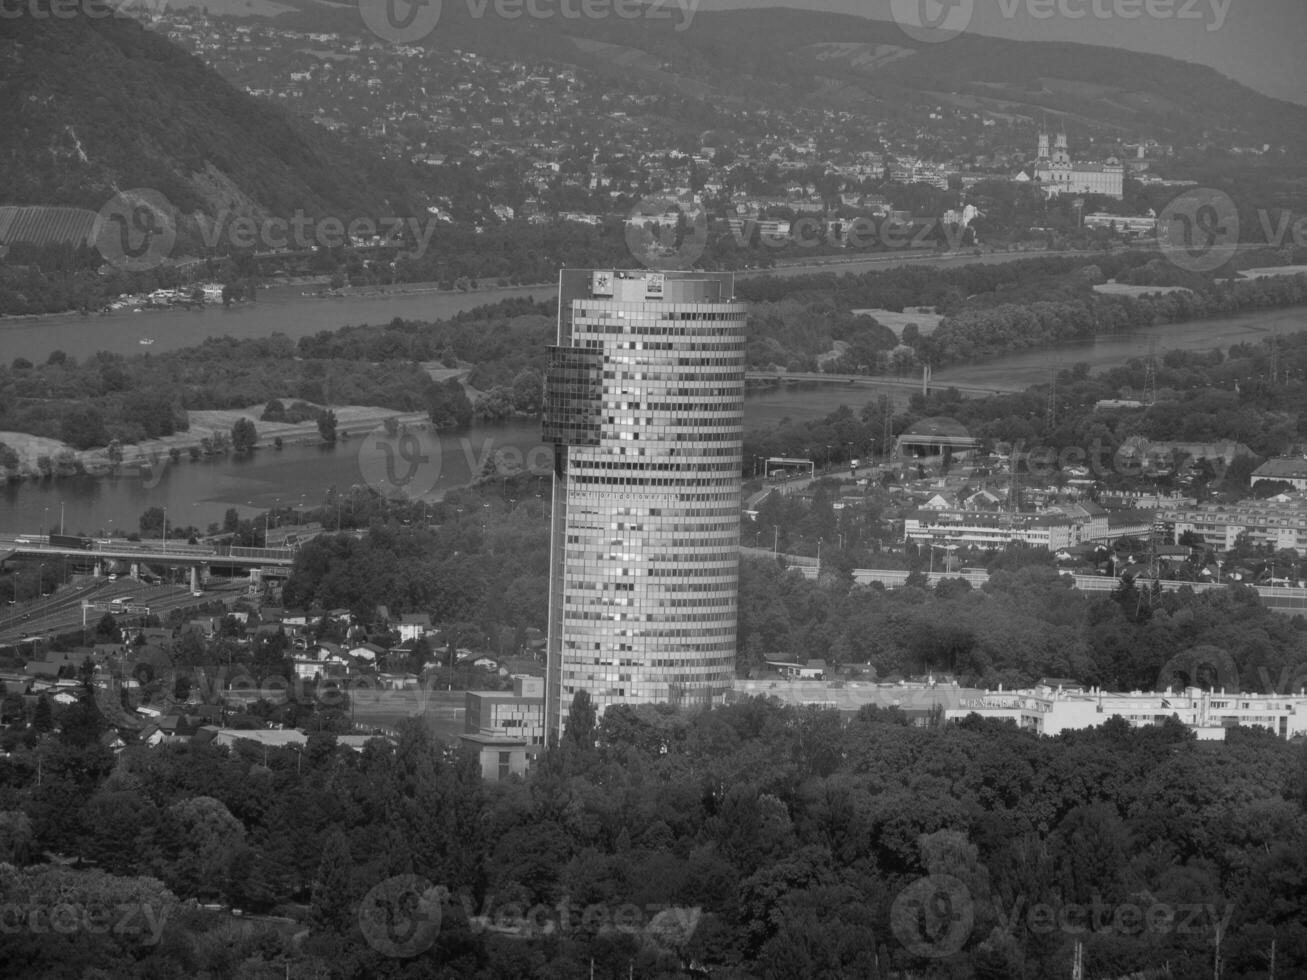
(645, 408)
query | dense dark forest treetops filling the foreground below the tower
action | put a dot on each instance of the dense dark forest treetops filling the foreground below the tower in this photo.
(752, 841)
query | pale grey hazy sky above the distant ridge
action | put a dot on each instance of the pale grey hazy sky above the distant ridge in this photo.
(1262, 44)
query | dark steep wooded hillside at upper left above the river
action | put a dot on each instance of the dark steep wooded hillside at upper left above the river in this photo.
(90, 108)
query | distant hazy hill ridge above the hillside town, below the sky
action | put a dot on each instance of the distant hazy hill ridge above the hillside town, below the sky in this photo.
(789, 57)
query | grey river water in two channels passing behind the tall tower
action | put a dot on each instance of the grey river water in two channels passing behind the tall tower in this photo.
(299, 476)
